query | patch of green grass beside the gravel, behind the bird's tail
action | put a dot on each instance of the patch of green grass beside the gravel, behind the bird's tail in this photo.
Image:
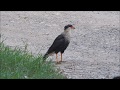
(18, 64)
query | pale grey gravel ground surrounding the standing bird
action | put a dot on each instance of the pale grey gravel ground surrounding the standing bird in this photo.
(94, 49)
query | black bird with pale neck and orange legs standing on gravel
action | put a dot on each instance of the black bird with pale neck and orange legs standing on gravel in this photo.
(60, 43)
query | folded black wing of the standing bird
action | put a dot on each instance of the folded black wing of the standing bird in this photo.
(57, 42)
